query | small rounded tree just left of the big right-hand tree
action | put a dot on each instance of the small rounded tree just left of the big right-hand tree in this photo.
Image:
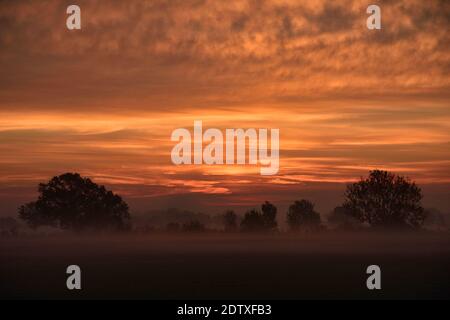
(301, 215)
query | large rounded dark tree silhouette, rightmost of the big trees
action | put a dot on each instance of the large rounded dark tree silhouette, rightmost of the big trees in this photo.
(385, 199)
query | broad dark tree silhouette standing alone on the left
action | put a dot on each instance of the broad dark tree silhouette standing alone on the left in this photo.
(70, 201)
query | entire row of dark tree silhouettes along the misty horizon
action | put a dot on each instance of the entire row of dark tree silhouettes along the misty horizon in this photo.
(383, 199)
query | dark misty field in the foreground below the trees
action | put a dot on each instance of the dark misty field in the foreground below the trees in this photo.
(227, 266)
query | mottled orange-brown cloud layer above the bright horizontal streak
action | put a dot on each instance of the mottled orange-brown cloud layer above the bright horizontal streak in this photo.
(170, 54)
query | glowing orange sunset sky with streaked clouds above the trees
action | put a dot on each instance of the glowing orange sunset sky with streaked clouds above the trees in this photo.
(104, 100)
